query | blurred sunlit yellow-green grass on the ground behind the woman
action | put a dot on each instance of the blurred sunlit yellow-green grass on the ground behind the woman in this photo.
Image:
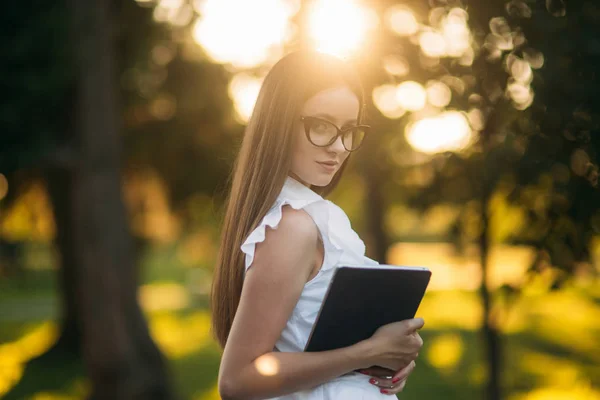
(550, 341)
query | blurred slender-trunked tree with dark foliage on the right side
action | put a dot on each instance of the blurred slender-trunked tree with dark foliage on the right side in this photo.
(543, 161)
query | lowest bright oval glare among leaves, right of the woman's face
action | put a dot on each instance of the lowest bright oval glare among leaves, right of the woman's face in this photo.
(448, 131)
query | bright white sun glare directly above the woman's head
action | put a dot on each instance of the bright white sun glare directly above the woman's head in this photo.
(340, 27)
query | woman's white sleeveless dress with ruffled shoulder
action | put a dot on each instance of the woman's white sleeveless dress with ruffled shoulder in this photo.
(342, 247)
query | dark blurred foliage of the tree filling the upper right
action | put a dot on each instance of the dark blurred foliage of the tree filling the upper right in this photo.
(549, 151)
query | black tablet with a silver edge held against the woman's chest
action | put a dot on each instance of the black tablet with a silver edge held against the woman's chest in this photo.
(360, 299)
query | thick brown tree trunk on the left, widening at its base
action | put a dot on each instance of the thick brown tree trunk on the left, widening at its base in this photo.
(120, 357)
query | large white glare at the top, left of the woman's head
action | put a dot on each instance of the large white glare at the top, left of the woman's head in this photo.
(247, 37)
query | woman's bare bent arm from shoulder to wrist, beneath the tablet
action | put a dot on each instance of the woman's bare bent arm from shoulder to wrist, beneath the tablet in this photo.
(250, 369)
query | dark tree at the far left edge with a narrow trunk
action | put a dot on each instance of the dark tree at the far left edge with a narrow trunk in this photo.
(37, 77)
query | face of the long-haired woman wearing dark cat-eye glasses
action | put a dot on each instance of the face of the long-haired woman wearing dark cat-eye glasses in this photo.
(339, 106)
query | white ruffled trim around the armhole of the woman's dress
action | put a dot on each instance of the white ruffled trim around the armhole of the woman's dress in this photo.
(316, 207)
